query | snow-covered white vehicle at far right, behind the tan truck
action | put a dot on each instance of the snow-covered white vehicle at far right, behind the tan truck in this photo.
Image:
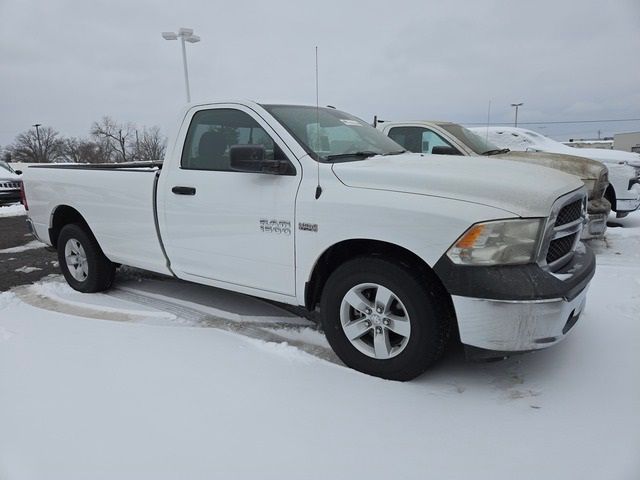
(623, 191)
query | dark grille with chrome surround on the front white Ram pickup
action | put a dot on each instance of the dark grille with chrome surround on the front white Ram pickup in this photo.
(563, 230)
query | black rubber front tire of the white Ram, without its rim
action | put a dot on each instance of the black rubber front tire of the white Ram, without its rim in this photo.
(426, 304)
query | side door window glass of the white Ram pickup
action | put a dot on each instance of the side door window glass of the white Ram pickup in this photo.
(212, 133)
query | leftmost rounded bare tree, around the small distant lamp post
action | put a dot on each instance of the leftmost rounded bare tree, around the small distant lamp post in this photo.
(37, 147)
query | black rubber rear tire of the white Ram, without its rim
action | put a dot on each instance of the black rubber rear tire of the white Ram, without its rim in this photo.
(100, 270)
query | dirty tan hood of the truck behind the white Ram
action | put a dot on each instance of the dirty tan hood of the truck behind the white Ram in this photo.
(581, 167)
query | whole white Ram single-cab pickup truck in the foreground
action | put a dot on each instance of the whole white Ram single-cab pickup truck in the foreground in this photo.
(316, 208)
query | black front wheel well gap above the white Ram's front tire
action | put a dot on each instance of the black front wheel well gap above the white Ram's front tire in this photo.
(339, 253)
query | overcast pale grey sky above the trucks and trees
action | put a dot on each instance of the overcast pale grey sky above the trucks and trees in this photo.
(65, 64)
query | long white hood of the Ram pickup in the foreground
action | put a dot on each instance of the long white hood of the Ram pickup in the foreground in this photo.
(519, 188)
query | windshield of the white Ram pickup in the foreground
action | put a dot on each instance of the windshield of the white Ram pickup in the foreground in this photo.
(338, 136)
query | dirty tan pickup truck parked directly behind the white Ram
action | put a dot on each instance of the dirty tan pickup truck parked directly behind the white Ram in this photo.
(453, 139)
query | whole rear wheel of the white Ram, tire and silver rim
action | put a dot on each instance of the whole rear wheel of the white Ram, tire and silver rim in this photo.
(82, 262)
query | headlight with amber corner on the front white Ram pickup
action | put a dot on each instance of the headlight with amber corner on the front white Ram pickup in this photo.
(504, 242)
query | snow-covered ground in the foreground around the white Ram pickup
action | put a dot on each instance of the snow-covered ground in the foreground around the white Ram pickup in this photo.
(161, 379)
